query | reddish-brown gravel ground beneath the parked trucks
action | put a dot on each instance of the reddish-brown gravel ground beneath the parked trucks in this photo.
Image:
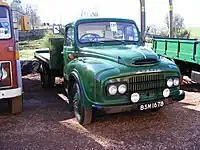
(46, 124)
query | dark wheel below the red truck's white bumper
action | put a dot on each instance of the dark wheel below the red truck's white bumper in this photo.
(15, 105)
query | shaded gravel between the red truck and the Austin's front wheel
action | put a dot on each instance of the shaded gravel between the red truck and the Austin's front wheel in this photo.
(38, 126)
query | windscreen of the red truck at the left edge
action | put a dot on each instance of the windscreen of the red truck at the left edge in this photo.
(5, 30)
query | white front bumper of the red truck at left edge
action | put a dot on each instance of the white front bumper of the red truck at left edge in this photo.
(9, 93)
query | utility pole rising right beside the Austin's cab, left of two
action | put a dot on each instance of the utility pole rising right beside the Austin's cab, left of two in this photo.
(142, 11)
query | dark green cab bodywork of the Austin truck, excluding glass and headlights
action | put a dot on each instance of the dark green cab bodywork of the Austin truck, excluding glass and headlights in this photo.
(95, 66)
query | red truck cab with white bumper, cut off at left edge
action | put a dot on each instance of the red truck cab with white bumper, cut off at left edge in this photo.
(10, 69)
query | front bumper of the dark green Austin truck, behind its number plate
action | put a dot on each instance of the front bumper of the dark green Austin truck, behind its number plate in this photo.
(135, 106)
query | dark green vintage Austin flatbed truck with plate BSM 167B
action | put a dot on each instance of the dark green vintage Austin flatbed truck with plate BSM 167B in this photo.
(105, 68)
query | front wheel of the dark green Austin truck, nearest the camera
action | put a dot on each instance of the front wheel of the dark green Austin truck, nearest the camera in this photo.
(83, 115)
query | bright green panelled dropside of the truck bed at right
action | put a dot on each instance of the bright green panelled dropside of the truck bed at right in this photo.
(178, 49)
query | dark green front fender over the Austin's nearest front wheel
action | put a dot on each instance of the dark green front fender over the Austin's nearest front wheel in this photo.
(86, 73)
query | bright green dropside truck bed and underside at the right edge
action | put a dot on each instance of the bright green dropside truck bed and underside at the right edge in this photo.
(184, 52)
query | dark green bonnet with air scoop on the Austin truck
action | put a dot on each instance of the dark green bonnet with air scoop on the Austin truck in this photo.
(128, 55)
